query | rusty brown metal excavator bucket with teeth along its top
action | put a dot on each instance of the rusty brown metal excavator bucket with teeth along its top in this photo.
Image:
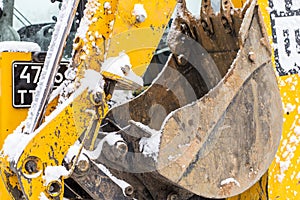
(211, 123)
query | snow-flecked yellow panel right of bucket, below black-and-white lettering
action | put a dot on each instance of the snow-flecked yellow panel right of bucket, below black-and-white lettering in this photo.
(284, 173)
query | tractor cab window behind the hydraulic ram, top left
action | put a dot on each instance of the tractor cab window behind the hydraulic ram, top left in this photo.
(33, 21)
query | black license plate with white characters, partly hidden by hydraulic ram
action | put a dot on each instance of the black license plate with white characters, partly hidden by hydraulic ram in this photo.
(25, 79)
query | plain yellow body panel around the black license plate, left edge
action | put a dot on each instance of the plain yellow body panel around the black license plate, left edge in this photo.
(10, 117)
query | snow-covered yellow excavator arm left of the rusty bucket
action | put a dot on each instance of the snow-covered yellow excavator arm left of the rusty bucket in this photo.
(113, 38)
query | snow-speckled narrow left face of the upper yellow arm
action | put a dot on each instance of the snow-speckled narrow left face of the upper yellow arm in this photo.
(90, 47)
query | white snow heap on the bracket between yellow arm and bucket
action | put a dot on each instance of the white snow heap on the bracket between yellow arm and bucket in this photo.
(121, 66)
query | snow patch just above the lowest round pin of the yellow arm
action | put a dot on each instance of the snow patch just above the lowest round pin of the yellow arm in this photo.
(53, 173)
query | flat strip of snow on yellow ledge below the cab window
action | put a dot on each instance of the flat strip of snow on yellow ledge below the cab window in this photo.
(17, 46)
